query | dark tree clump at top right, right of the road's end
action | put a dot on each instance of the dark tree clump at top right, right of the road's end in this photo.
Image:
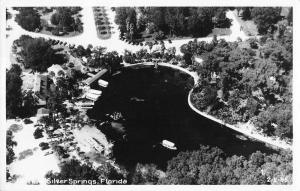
(265, 18)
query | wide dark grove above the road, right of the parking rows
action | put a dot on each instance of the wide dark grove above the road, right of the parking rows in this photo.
(160, 22)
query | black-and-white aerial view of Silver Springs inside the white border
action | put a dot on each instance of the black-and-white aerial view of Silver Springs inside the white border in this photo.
(145, 95)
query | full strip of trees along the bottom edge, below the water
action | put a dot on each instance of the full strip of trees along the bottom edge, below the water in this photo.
(207, 165)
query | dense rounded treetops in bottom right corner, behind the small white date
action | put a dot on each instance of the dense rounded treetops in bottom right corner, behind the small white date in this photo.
(212, 166)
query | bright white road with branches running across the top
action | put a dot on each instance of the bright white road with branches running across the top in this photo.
(89, 35)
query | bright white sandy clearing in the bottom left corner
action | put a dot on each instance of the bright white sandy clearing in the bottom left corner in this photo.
(32, 168)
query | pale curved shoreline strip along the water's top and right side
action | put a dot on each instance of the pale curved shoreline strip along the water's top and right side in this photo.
(238, 127)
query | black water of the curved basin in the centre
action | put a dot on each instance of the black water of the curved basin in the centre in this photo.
(154, 106)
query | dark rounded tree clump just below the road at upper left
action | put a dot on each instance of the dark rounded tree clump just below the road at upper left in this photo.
(37, 54)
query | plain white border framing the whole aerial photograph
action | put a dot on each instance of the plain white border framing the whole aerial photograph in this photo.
(296, 85)
